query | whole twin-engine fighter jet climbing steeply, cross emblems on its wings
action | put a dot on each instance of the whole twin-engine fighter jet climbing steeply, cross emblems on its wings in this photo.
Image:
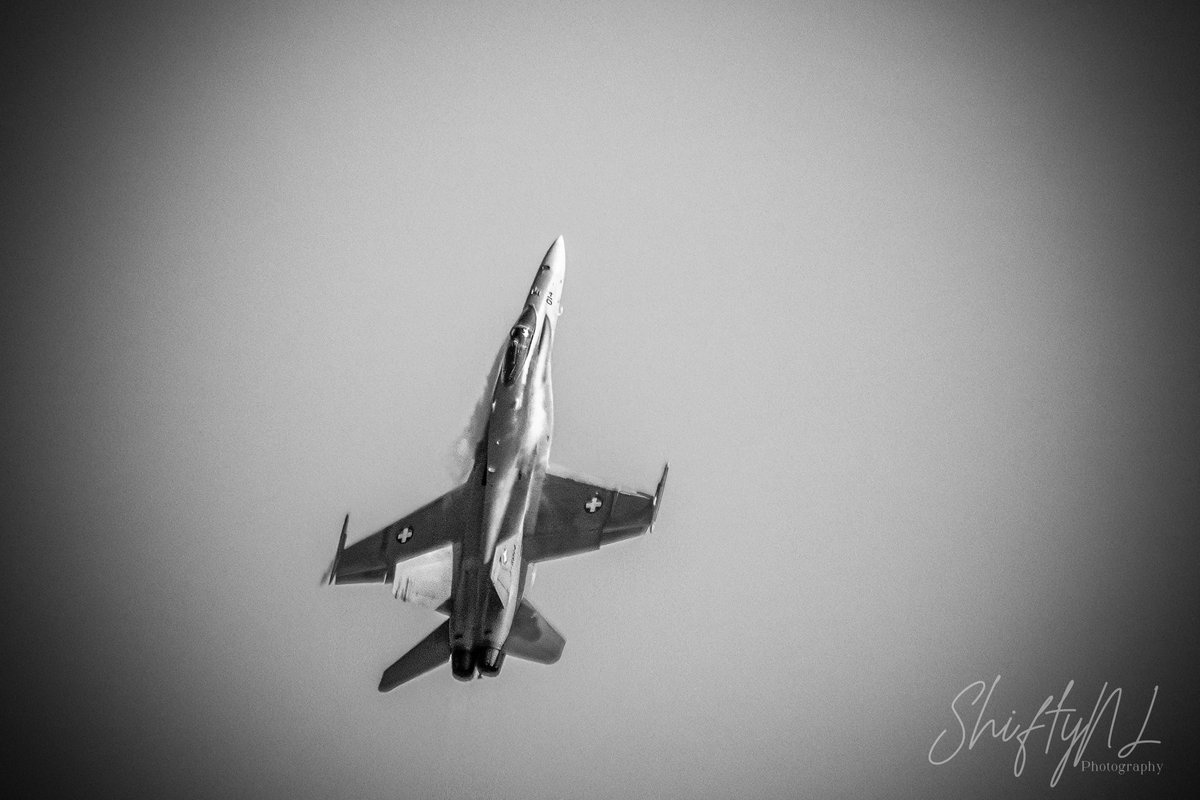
(471, 554)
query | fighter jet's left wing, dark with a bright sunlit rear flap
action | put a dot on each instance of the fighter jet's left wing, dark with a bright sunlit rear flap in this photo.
(430, 528)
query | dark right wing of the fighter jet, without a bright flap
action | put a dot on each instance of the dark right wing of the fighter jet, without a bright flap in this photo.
(578, 516)
